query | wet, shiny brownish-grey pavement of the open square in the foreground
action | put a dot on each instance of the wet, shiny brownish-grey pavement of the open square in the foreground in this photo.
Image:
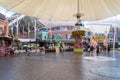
(58, 66)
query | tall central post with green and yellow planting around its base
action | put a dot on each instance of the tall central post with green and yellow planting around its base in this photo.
(78, 34)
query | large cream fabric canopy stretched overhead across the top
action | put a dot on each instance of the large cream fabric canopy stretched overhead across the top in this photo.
(64, 9)
